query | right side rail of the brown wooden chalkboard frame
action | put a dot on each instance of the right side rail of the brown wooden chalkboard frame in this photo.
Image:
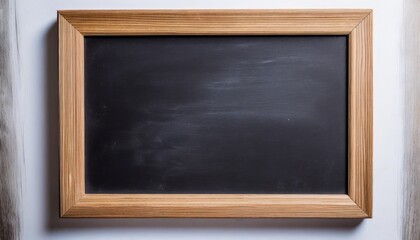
(361, 115)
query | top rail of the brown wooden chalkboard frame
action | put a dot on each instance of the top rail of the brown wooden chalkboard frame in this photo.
(214, 22)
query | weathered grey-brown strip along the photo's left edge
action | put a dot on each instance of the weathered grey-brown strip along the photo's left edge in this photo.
(11, 151)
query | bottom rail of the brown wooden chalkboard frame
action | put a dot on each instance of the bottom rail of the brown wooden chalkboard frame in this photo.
(216, 205)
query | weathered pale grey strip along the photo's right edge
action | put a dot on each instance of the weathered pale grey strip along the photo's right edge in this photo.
(411, 75)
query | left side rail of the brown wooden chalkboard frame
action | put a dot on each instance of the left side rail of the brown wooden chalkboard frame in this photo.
(71, 97)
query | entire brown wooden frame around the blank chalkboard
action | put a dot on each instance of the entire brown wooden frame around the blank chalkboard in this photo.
(74, 25)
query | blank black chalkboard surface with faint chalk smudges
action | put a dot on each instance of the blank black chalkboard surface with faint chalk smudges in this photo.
(216, 114)
